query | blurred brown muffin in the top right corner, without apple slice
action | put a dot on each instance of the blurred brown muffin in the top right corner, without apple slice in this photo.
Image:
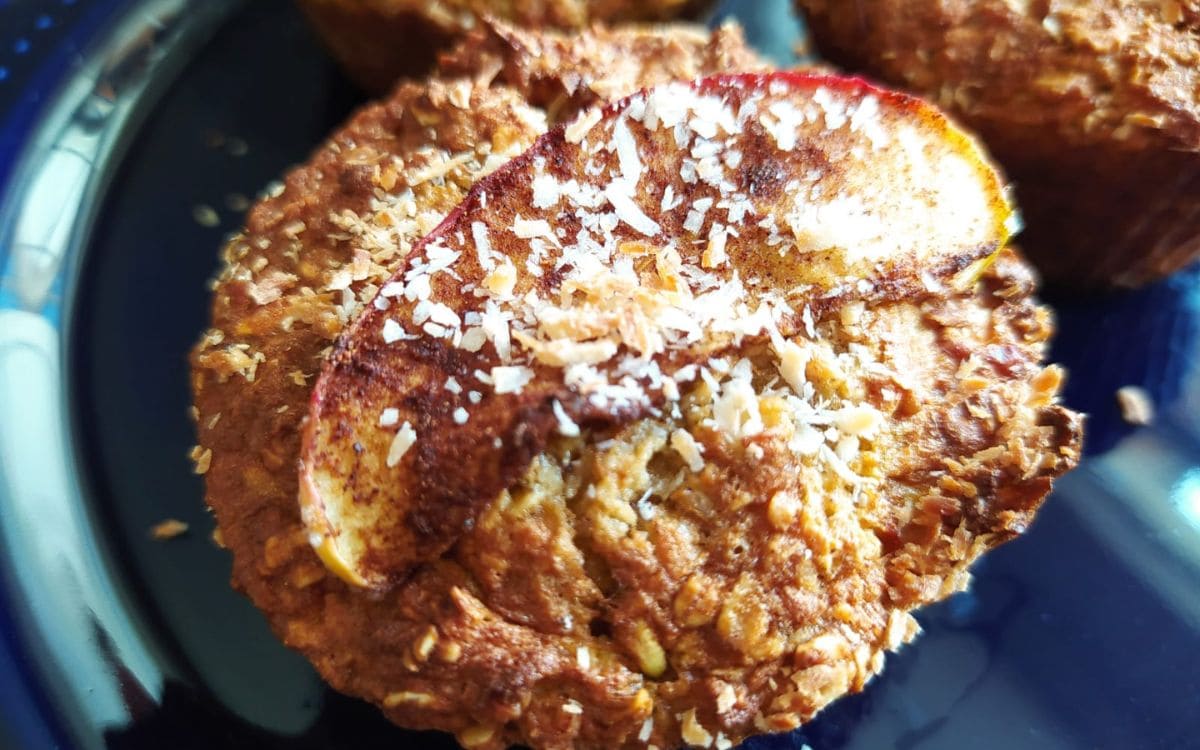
(1093, 109)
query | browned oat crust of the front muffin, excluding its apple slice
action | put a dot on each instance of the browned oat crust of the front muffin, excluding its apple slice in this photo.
(544, 625)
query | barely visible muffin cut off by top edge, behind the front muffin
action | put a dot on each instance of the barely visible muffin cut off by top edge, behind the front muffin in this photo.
(377, 41)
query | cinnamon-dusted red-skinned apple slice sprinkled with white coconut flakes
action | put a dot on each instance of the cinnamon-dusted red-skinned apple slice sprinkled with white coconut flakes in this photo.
(575, 286)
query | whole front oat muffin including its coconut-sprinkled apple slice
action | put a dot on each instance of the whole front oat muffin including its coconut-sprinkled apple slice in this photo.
(661, 565)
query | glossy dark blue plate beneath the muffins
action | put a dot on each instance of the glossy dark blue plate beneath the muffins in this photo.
(133, 136)
